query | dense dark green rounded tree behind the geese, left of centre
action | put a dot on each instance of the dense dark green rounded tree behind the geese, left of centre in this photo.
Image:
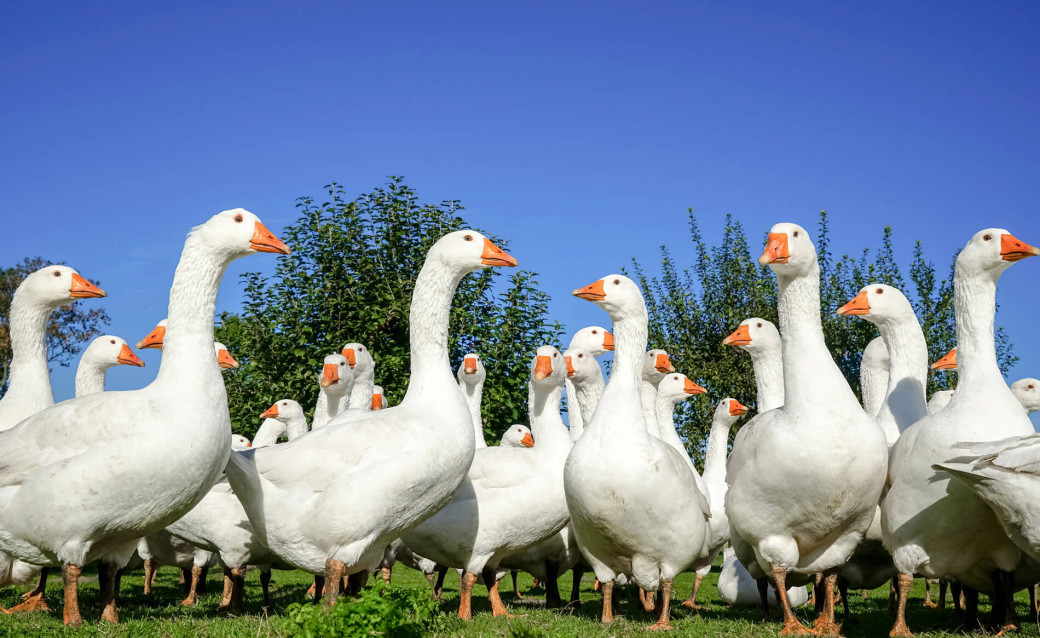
(350, 278)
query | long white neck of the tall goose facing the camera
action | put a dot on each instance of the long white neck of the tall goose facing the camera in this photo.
(809, 370)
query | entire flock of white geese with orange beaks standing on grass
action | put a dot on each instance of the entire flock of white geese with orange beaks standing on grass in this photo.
(818, 489)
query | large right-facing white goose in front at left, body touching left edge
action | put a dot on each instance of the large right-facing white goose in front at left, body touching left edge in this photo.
(97, 458)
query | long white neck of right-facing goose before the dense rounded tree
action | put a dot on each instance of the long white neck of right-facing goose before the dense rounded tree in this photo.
(429, 336)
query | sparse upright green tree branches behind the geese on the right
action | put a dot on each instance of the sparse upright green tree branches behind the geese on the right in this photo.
(692, 311)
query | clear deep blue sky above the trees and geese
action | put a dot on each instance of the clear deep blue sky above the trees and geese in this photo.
(581, 133)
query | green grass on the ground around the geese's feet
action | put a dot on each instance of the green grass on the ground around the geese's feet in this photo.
(161, 615)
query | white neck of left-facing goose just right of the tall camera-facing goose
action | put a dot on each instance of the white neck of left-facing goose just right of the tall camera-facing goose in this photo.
(905, 402)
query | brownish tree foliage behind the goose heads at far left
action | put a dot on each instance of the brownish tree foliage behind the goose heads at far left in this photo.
(68, 331)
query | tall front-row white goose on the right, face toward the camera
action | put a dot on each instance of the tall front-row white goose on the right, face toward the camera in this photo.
(821, 445)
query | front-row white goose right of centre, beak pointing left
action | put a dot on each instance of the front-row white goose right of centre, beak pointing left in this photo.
(645, 518)
